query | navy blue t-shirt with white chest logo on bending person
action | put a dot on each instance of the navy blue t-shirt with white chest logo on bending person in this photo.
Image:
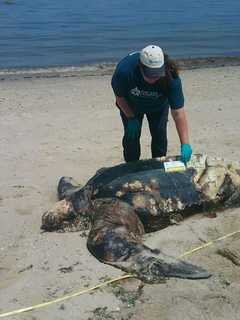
(128, 82)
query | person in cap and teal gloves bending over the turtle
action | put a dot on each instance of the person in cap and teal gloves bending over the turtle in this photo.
(148, 83)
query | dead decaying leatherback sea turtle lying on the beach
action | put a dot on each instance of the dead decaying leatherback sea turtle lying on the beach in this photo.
(125, 201)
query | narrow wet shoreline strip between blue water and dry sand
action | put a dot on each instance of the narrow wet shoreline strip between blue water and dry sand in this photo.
(102, 69)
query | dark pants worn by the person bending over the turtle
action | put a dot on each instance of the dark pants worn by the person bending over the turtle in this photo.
(157, 122)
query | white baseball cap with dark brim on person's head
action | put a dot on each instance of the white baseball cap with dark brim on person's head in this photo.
(152, 59)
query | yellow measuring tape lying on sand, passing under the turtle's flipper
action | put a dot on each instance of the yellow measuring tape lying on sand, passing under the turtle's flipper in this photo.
(78, 293)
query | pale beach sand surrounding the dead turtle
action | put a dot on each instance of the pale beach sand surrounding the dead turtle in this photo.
(69, 126)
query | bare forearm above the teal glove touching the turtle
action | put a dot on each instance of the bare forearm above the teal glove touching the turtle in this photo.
(180, 119)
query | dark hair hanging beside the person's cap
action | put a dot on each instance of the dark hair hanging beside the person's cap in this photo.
(171, 72)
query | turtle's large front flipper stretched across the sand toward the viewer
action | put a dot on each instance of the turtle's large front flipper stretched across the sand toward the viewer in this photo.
(115, 239)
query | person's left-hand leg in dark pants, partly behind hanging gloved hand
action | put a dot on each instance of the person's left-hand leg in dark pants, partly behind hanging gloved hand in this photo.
(131, 147)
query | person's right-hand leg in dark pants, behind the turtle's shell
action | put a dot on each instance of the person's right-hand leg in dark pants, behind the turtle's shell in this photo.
(157, 122)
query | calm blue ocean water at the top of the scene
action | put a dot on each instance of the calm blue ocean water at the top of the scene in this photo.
(43, 33)
